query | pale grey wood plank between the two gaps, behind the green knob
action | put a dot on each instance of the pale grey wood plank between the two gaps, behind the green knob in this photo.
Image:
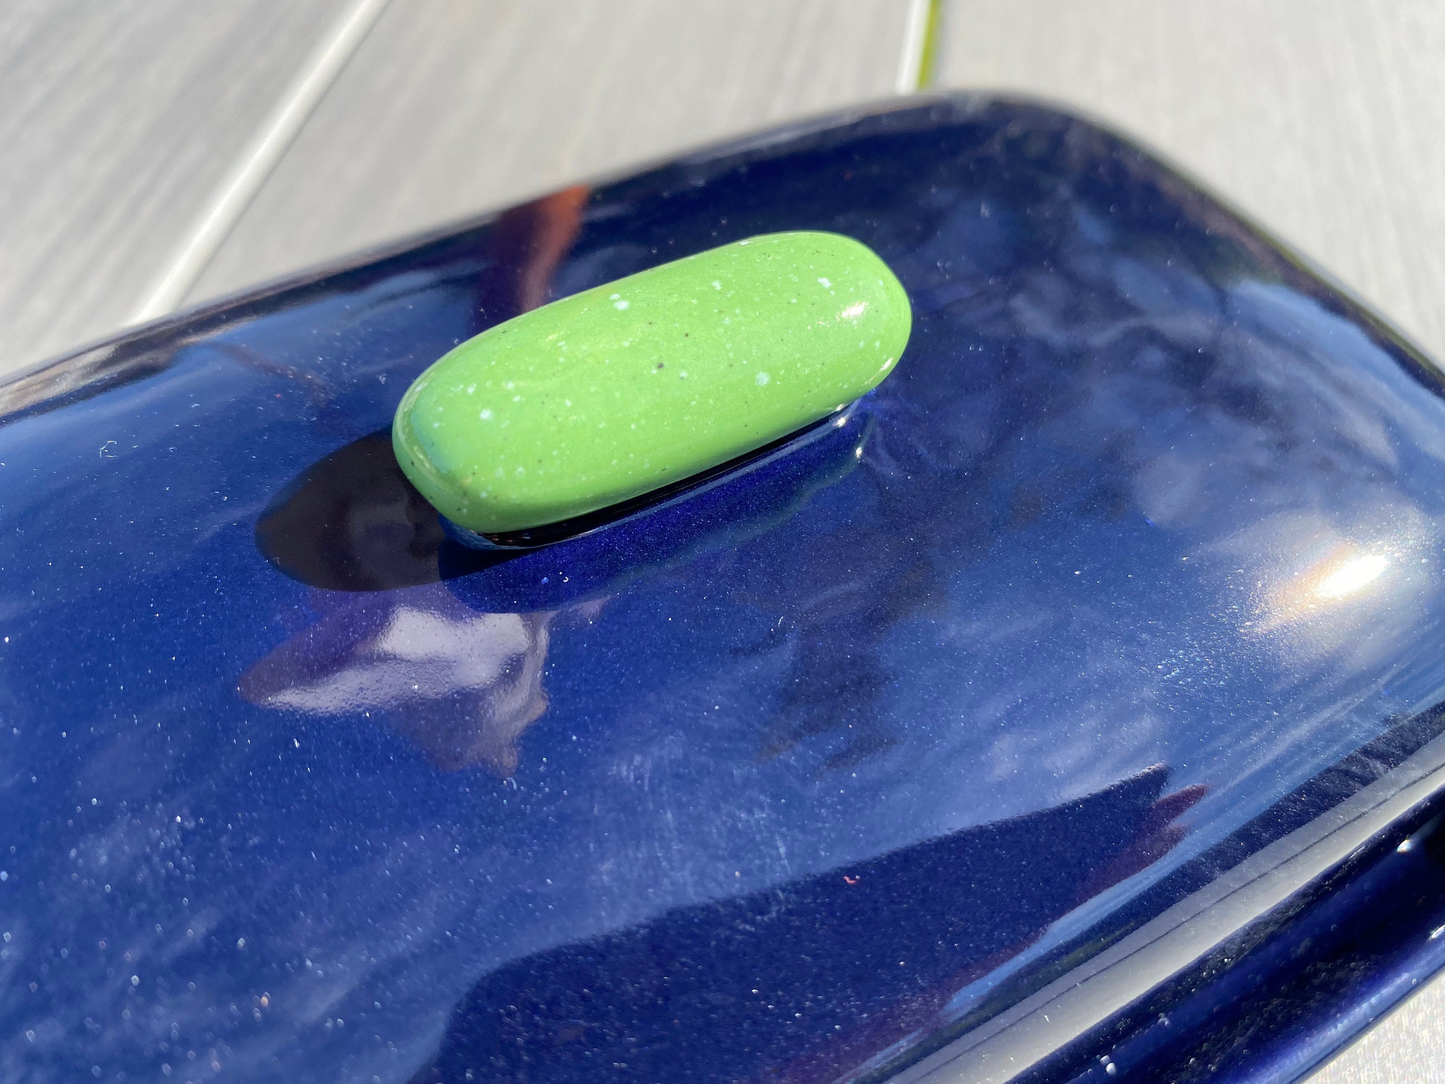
(452, 108)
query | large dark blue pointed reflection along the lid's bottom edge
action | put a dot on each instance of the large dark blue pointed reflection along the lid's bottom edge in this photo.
(748, 988)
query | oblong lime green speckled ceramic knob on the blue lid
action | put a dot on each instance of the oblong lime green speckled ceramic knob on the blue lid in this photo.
(634, 387)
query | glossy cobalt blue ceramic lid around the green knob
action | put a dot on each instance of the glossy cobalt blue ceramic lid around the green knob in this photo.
(859, 765)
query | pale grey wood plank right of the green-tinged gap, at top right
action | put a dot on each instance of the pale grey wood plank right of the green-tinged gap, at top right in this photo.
(1321, 119)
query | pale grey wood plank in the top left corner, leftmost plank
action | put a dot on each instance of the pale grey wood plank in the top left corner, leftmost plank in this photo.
(116, 124)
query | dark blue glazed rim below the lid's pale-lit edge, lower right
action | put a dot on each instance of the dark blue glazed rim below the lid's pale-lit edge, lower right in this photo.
(1277, 1002)
